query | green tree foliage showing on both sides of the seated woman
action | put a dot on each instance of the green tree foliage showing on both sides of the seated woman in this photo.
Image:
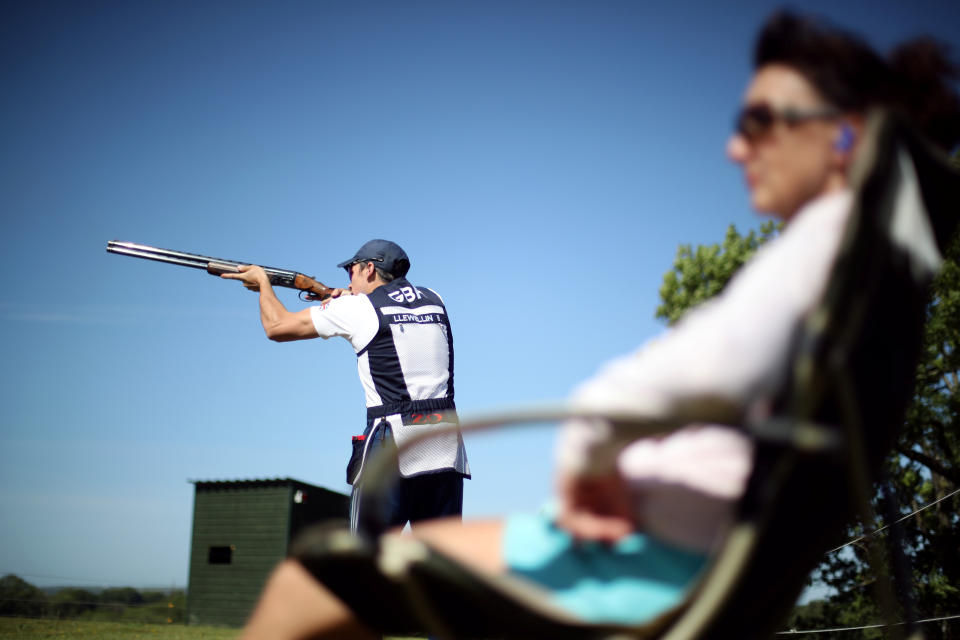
(924, 467)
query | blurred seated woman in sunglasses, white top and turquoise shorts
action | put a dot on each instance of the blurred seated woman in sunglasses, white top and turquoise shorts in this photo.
(662, 504)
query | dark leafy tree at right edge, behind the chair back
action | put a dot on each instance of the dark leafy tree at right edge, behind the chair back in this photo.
(923, 470)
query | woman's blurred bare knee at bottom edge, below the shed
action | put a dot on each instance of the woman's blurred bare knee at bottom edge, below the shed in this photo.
(294, 606)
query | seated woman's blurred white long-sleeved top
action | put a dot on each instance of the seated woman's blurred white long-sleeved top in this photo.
(732, 347)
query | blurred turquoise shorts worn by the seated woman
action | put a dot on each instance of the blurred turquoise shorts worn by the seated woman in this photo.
(629, 582)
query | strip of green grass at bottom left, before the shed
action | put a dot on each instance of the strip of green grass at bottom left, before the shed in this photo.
(33, 629)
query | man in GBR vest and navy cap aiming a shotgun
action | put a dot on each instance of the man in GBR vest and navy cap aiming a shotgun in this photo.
(401, 335)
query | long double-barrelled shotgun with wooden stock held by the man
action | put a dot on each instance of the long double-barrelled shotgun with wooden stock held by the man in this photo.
(309, 288)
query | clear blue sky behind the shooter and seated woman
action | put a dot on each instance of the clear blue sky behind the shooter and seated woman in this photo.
(539, 161)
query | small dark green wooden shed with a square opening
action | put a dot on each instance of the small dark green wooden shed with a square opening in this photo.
(241, 530)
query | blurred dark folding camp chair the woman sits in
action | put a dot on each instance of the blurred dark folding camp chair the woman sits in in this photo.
(817, 452)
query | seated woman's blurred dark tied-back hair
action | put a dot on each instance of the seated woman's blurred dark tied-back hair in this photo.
(915, 79)
